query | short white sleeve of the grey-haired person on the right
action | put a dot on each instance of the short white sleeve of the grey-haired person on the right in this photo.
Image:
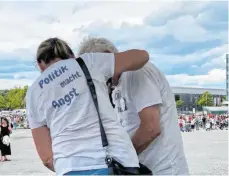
(144, 91)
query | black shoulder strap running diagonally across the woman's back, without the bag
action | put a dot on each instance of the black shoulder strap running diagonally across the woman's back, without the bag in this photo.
(94, 97)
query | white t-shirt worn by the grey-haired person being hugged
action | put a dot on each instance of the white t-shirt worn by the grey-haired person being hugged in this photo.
(141, 89)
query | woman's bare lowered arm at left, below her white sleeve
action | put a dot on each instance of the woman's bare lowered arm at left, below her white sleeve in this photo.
(43, 143)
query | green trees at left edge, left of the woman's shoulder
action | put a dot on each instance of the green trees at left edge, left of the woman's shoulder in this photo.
(13, 98)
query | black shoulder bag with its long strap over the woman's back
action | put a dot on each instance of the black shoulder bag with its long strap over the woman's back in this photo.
(114, 167)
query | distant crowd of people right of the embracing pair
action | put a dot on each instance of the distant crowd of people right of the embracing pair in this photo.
(205, 122)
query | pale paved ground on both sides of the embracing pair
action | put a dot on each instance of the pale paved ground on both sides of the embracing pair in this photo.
(207, 154)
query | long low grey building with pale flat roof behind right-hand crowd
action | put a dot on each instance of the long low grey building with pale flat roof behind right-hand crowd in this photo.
(190, 95)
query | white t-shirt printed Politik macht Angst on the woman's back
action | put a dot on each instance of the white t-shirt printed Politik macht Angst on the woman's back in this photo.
(61, 99)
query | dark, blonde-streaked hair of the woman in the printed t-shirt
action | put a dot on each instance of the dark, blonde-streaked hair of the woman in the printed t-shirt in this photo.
(53, 48)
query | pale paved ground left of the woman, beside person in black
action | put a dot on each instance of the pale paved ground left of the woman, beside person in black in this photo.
(24, 159)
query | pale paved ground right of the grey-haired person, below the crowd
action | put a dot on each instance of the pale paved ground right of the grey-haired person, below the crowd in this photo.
(207, 152)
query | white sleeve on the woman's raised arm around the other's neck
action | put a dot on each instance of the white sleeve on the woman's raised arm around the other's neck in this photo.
(103, 62)
